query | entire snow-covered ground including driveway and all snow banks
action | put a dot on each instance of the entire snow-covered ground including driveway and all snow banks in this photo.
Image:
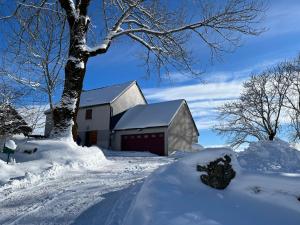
(62, 183)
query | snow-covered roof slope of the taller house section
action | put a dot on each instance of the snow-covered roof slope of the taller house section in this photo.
(103, 95)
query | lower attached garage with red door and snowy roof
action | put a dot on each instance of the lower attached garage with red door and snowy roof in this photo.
(160, 128)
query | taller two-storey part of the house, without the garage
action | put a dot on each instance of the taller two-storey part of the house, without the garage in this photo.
(99, 109)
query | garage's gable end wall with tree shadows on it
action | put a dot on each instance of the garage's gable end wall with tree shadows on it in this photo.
(182, 132)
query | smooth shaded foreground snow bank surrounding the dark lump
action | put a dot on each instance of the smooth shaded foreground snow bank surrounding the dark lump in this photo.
(175, 195)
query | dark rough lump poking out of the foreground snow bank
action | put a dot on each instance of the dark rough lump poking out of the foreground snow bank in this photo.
(219, 173)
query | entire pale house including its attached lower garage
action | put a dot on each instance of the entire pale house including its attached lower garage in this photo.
(118, 117)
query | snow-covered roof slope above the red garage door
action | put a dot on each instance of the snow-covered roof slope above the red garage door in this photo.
(151, 115)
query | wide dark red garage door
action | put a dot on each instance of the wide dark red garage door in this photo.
(152, 142)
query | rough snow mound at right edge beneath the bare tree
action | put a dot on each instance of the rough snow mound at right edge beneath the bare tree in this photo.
(270, 156)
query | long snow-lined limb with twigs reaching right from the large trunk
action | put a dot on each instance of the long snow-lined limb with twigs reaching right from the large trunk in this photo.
(164, 32)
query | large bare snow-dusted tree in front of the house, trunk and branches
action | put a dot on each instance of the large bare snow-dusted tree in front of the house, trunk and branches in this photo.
(161, 29)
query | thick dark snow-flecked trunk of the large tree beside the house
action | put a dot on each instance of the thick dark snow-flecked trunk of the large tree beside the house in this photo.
(64, 115)
